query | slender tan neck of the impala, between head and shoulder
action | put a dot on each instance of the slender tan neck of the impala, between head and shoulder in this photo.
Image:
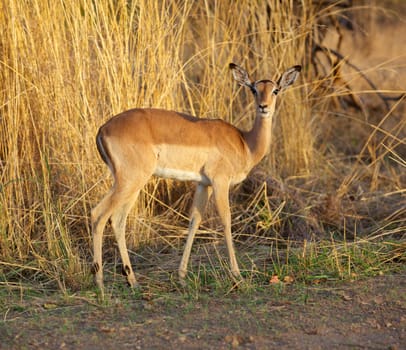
(258, 138)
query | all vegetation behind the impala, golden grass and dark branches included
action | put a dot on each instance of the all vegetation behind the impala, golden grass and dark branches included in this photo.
(332, 190)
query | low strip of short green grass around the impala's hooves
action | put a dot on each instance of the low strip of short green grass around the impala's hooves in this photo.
(313, 264)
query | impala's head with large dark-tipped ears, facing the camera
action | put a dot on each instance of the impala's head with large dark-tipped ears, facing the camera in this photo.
(265, 91)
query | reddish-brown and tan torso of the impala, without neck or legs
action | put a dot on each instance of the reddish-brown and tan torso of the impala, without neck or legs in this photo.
(172, 145)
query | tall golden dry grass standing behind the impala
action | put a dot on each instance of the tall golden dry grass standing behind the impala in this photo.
(66, 67)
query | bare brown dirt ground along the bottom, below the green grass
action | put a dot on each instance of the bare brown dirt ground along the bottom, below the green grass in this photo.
(366, 314)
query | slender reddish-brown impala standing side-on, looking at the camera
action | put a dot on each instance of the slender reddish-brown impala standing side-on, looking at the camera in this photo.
(140, 143)
